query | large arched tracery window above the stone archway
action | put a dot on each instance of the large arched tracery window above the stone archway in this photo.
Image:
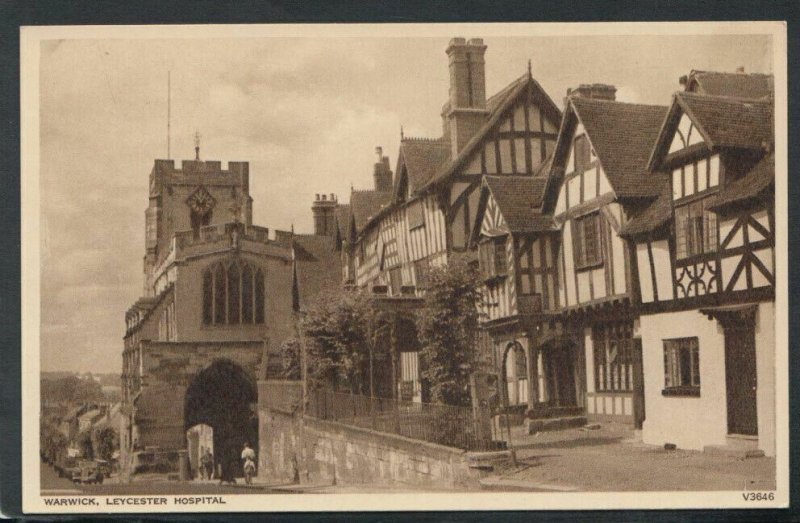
(233, 293)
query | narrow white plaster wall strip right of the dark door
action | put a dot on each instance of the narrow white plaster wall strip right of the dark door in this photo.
(765, 376)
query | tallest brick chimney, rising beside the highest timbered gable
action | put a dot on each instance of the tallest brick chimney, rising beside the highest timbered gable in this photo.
(465, 112)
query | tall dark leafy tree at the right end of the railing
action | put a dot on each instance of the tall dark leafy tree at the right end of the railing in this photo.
(447, 327)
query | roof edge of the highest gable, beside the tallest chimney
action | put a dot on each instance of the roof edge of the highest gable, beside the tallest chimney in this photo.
(496, 106)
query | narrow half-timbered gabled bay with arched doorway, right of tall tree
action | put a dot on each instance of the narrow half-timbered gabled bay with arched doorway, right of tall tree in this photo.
(518, 250)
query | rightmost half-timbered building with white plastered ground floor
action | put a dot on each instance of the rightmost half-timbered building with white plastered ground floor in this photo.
(704, 254)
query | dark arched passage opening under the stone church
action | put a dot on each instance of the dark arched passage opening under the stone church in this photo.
(223, 397)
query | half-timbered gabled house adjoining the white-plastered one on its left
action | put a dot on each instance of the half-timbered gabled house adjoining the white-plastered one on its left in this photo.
(596, 181)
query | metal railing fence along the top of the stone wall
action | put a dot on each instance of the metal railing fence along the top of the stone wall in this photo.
(442, 424)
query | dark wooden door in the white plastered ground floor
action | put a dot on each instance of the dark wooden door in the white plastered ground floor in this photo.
(740, 378)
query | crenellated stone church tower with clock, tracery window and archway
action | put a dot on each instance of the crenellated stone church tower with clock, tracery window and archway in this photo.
(216, 304)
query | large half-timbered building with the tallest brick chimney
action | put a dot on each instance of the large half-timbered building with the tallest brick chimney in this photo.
(434, 200)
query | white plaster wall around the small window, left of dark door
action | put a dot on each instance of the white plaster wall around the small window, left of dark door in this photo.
(688, 422)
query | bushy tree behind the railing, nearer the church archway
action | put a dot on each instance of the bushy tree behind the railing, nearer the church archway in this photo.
(336, 328)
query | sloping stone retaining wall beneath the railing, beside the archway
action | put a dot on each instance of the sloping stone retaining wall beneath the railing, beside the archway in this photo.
(305, 449)
